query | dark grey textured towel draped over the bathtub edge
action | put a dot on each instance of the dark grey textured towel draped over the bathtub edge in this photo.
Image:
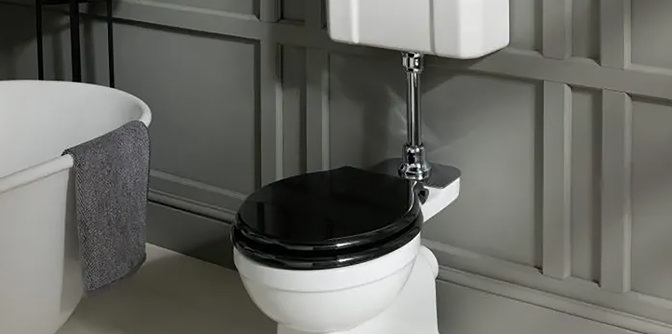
(111, 179)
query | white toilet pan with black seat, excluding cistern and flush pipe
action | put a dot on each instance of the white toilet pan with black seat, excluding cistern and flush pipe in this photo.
(339, 251)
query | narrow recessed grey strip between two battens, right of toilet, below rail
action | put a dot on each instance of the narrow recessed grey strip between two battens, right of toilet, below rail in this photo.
(586, 185)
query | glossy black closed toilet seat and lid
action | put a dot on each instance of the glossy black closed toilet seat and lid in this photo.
(327, 219)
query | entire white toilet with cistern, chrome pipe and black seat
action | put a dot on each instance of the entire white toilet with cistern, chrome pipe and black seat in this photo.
(339, 251)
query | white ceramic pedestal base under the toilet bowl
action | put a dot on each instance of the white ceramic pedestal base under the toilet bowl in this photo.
(414, 310)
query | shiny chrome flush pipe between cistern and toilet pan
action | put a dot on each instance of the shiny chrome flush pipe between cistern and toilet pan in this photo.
(414, 164)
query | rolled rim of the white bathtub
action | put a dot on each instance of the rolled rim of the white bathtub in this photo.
(58, 164)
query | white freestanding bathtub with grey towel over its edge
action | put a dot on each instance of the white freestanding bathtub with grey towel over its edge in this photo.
(40, 275)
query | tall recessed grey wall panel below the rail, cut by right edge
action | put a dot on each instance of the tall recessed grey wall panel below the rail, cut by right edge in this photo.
(652, 198)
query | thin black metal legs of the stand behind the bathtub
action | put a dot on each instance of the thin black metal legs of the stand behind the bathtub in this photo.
(74, 37)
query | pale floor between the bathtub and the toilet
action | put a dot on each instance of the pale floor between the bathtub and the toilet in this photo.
(171, 294)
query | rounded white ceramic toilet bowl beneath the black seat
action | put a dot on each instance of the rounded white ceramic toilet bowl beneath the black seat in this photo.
(328, 300)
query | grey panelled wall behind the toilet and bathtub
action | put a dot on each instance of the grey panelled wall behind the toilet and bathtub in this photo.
(563, 138)
